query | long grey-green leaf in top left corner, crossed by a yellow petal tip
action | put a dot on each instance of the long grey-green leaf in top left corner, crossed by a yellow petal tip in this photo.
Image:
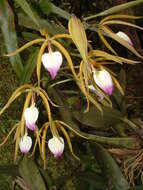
(10, 38)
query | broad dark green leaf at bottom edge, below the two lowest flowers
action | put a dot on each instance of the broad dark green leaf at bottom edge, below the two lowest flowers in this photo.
(31, 175)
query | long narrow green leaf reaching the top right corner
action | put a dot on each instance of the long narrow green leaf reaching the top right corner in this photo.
(116, 9)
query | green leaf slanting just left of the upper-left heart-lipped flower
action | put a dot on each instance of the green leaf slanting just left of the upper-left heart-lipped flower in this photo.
(29, 67)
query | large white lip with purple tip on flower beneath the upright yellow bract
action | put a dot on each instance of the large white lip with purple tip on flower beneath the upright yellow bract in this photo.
(103, 79)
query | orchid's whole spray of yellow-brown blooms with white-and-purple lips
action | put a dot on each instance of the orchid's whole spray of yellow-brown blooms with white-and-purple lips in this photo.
(94, 79)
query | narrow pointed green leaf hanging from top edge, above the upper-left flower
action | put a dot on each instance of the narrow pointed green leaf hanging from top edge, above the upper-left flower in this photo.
(27, 9)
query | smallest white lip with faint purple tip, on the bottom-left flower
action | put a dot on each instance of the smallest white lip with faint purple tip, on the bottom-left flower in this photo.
(25, 144)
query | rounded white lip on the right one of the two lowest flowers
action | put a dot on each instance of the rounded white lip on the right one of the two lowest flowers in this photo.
(56, 146)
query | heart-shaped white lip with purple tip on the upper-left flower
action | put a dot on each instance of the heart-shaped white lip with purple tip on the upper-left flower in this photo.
(52, 62)
